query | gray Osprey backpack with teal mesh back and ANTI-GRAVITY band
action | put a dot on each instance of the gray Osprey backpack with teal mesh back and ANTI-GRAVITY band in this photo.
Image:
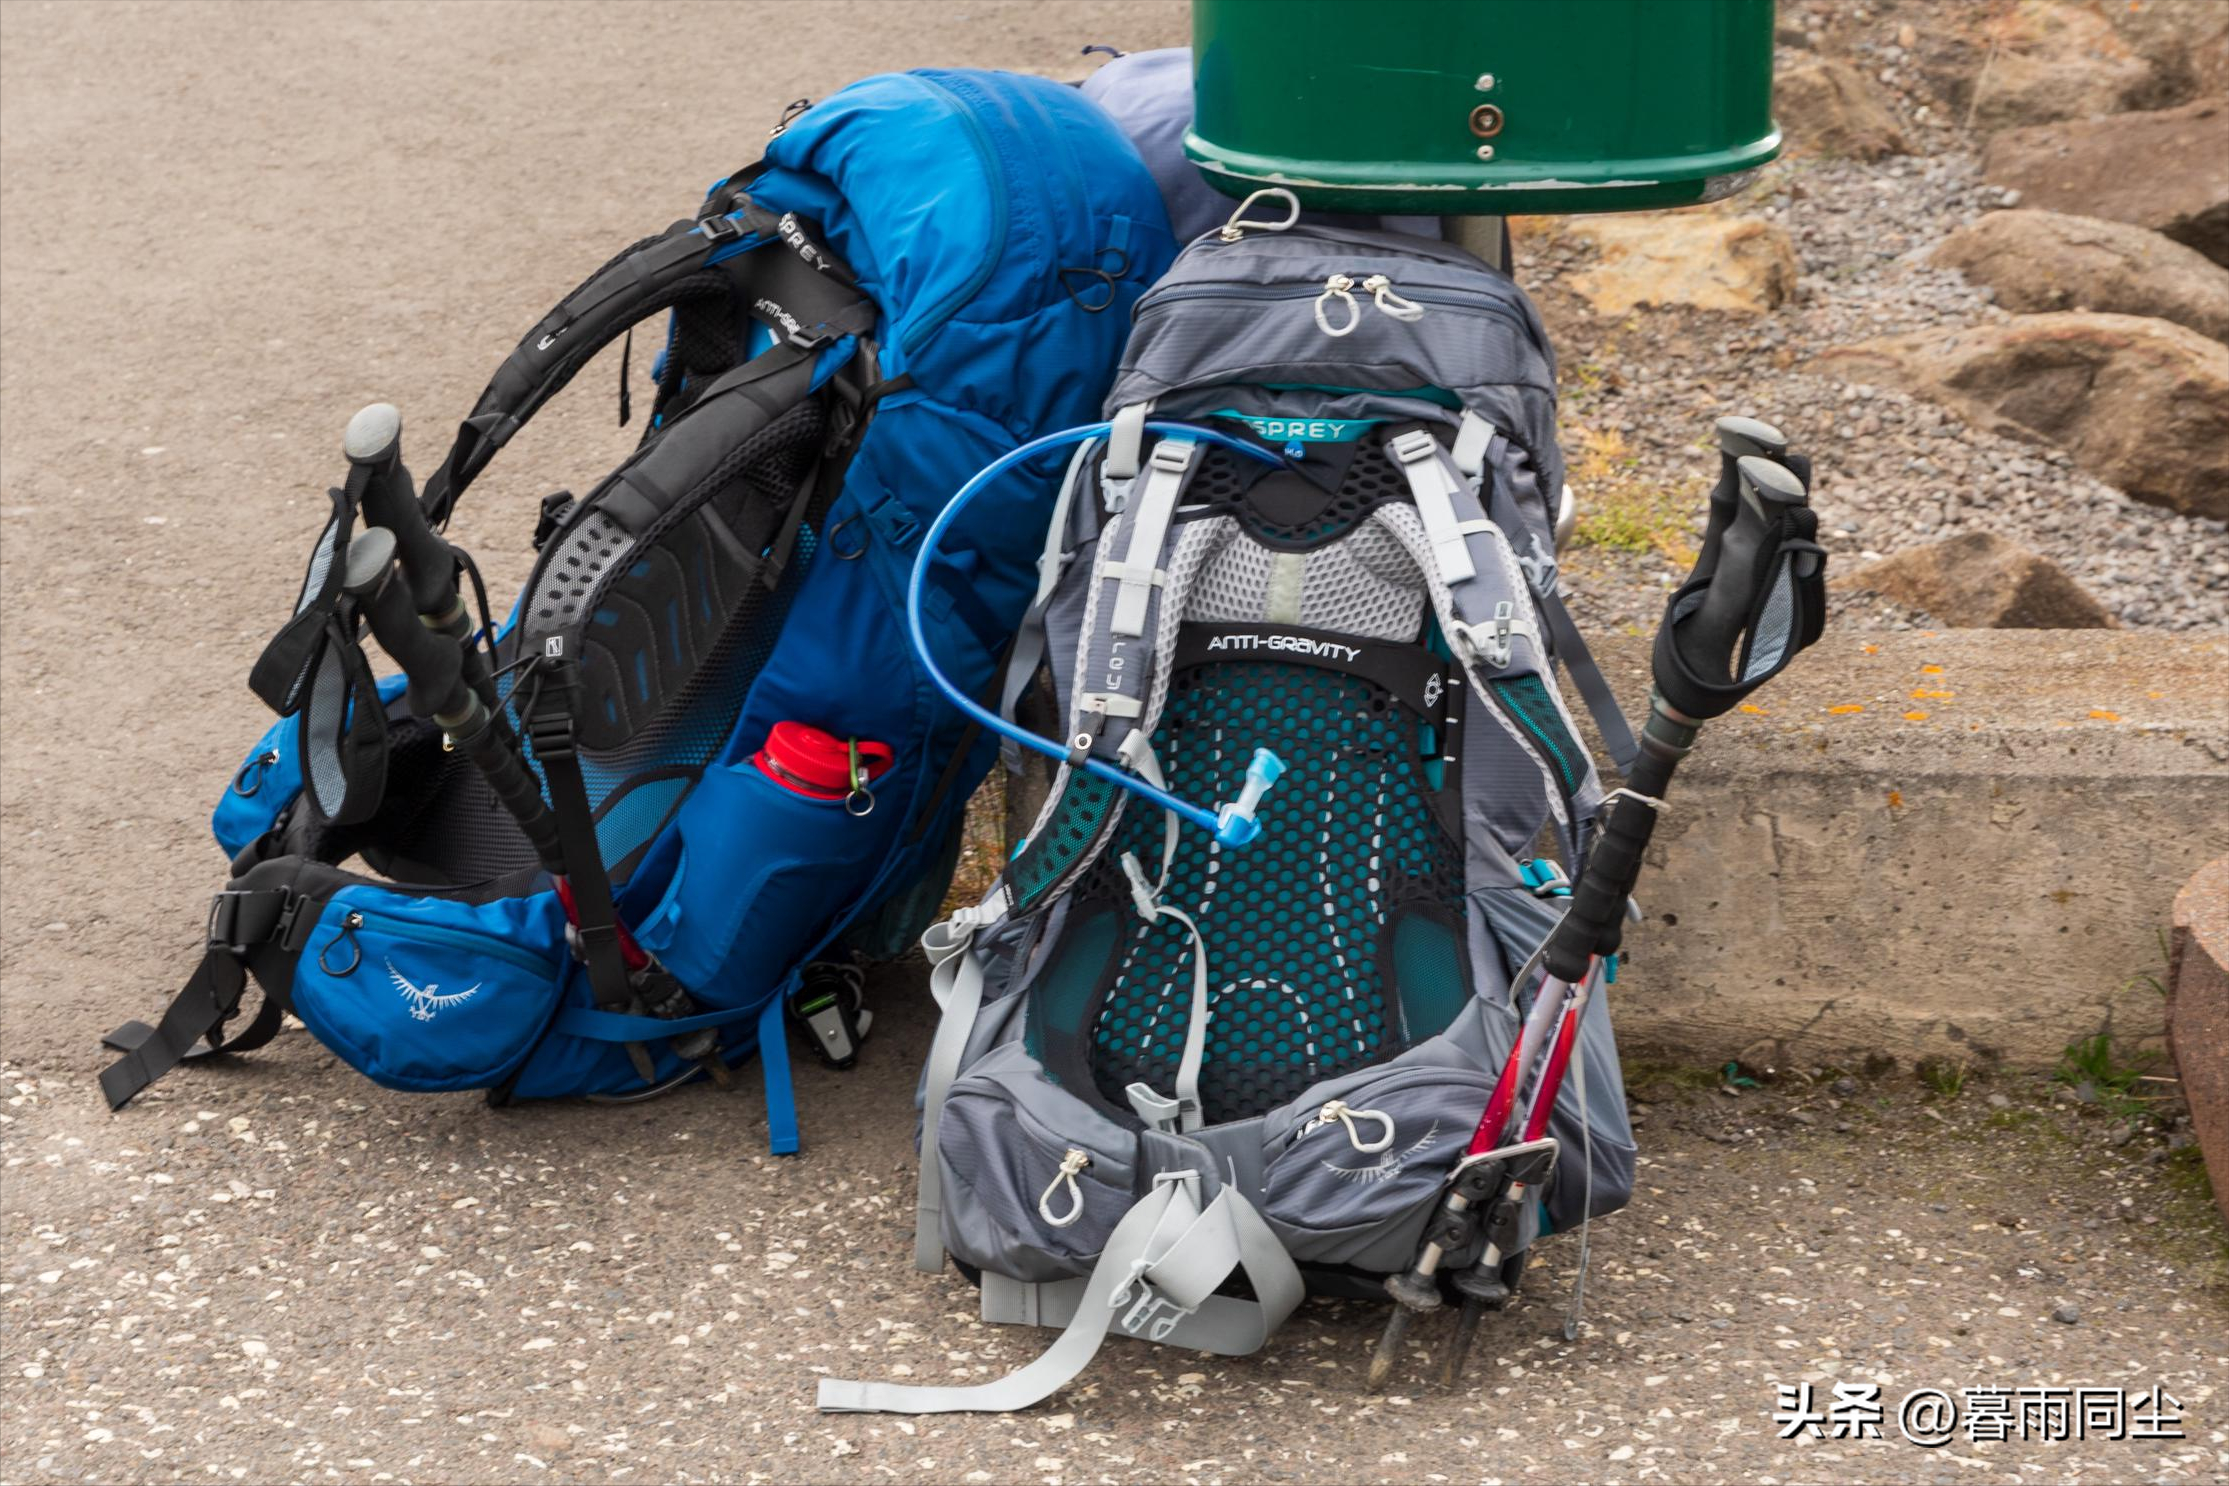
(1180, 1086)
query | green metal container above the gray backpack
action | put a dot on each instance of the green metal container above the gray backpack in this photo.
(1490, 108)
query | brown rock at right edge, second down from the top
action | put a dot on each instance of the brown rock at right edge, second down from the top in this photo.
(2165, 170)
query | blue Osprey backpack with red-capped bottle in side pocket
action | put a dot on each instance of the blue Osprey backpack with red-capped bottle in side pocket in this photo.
(614, 832)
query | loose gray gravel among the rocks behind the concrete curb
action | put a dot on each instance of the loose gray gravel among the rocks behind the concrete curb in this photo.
(1894, 471)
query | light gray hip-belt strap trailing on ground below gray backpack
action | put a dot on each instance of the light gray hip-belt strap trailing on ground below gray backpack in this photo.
(1160, 1269)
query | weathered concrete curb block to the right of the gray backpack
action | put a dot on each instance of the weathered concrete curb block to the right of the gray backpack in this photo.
(1958, 843)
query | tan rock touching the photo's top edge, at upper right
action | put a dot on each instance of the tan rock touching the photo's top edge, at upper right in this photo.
(2056, 61)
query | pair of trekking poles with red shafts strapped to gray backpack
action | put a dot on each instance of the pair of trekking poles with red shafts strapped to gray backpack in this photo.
(1755, 598)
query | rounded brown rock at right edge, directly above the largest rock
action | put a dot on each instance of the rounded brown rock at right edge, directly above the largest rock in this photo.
(2043, 262)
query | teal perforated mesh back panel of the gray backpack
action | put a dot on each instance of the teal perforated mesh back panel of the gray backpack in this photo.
(1296, 921)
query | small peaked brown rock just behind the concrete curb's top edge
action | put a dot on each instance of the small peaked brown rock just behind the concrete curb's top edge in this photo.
(1983, 583)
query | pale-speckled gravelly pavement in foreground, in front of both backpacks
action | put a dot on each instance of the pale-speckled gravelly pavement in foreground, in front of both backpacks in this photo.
(282, 1273)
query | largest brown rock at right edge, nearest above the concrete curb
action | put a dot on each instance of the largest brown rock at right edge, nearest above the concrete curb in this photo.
(2136, 402)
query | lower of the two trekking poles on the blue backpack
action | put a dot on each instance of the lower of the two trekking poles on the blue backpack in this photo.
(440, 692)
